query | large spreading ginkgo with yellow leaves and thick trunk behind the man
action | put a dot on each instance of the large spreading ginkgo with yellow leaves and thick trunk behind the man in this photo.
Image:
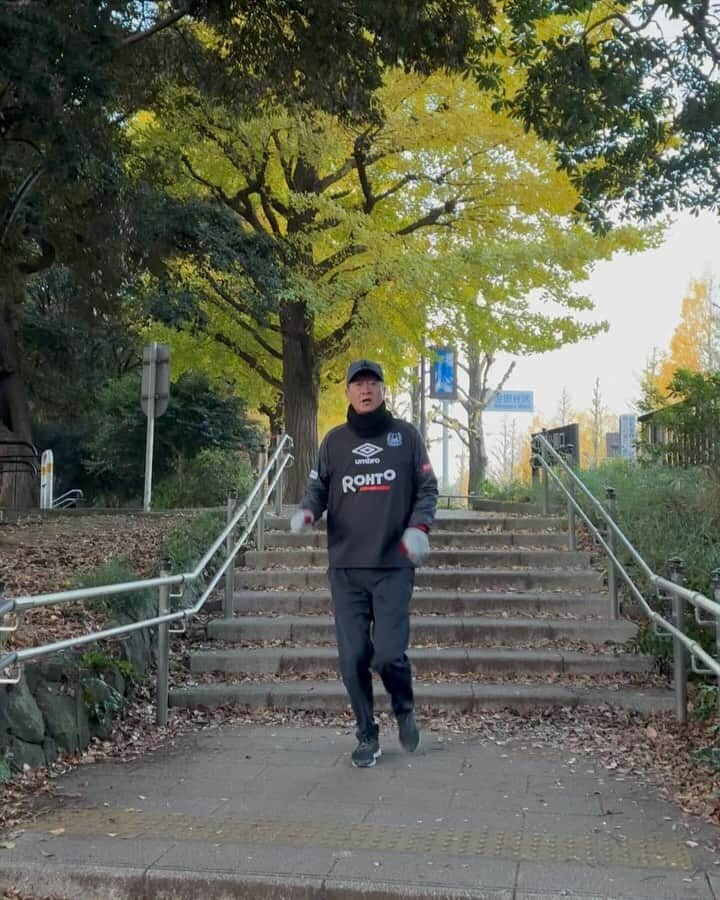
(303, 237)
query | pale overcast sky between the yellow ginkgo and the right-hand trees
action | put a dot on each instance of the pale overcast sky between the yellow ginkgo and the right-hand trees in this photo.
(640, 295)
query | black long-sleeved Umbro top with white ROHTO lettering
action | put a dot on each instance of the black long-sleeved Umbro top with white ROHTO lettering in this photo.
(373, 489)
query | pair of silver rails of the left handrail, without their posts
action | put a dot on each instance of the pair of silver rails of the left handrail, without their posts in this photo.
(278, 462)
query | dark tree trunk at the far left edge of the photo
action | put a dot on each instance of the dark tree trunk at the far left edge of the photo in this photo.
(19, 485)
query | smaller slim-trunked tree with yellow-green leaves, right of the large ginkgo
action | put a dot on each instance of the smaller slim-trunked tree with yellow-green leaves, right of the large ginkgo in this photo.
(517, 294)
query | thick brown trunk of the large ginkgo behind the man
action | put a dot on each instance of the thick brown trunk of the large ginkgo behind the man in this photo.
(301, 393)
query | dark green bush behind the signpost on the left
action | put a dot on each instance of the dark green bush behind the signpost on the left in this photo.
(198, 417)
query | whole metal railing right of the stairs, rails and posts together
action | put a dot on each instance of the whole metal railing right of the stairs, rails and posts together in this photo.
(685, 648)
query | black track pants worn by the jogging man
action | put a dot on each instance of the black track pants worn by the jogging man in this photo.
(372, 626)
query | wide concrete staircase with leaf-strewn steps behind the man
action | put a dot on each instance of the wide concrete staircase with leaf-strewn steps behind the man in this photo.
(503, 616)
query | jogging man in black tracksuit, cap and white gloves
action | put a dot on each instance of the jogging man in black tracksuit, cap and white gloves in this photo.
(375, 479)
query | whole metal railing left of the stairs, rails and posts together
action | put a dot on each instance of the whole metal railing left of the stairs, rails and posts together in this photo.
(269, 483)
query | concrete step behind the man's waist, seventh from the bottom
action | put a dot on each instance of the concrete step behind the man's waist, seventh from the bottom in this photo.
(284, 540)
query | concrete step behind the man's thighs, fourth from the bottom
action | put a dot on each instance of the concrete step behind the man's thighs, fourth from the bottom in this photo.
(518, 603)
